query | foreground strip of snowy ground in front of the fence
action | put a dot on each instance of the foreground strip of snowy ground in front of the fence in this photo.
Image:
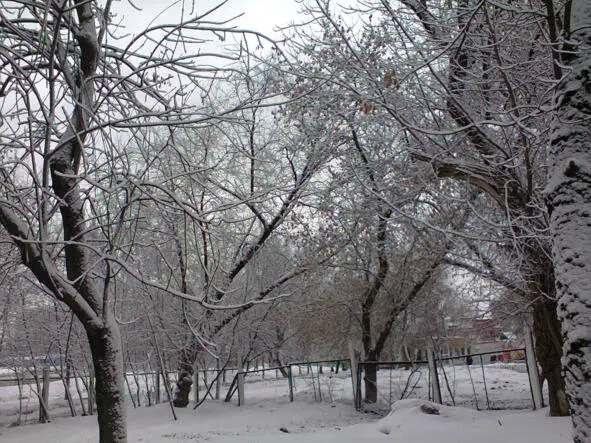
(309, 423)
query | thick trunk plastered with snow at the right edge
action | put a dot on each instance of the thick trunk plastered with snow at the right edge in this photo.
(569, 203)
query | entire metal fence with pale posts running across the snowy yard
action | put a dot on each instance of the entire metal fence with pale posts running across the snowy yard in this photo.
(492, 380)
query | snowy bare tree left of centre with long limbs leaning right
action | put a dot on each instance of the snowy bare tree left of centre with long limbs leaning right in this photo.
(229, 189)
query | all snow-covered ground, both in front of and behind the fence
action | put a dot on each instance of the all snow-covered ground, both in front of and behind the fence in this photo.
(269, 417)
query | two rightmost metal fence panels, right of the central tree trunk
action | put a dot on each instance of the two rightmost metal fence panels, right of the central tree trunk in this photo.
(490, 380)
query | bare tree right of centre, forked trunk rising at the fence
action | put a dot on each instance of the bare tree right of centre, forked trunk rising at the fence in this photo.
(376, 199)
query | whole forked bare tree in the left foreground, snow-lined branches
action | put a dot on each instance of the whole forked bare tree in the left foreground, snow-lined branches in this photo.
(72, 104)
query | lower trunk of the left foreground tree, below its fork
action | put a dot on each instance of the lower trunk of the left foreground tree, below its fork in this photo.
(107, 357)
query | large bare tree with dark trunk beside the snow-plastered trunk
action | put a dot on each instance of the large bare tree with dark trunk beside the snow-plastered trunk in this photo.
(475, 109)
